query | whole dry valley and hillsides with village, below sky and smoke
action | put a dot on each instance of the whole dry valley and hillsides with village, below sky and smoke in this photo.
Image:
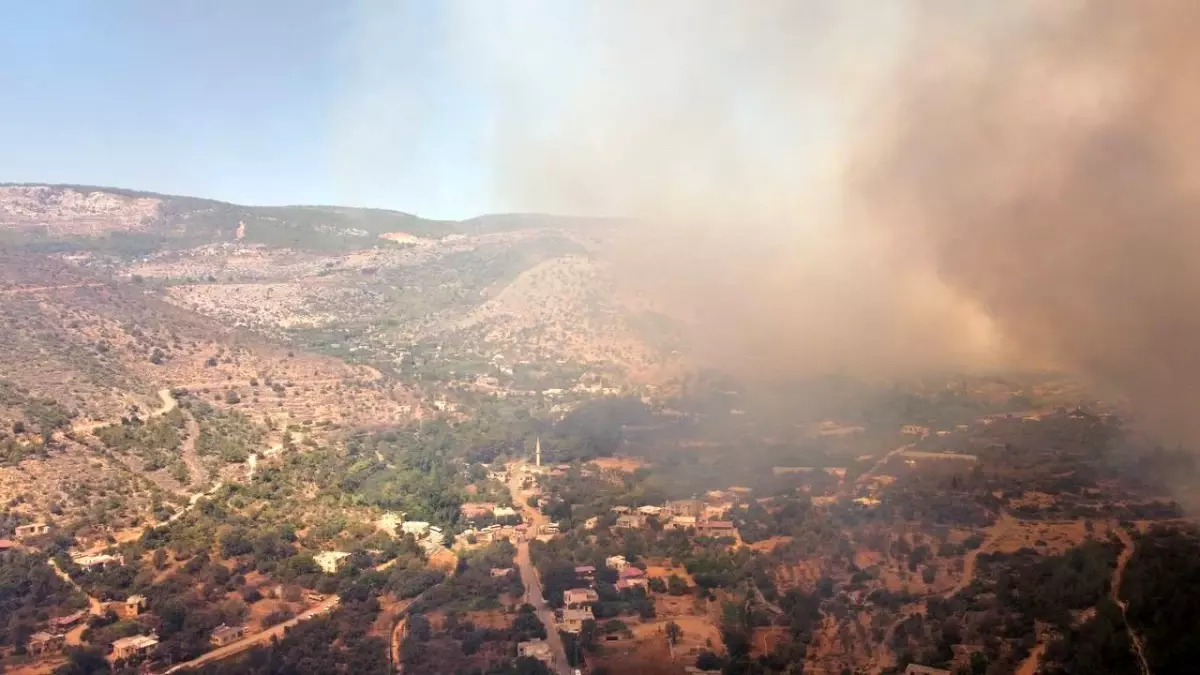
(278, 439)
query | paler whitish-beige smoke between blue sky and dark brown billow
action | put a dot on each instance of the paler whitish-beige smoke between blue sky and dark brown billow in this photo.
(723, 130)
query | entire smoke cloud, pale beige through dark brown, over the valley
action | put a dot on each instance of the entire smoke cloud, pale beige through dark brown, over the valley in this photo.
(873, 187)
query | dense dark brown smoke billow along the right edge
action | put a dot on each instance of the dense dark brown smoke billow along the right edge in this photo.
(1046, 158)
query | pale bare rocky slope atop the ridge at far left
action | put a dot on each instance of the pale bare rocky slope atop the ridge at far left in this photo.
(68, 212)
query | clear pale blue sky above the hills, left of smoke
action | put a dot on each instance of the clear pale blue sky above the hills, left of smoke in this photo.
(251, 103)
